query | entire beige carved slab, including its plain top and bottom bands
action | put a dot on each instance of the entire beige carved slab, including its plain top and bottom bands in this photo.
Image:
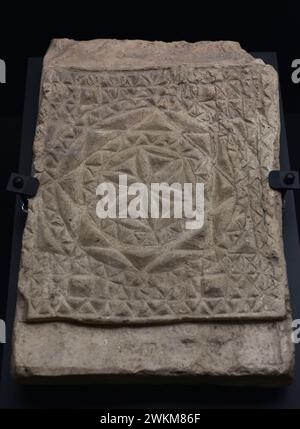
(149, 296)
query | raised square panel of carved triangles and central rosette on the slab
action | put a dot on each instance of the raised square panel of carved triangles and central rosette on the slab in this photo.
(180, 124)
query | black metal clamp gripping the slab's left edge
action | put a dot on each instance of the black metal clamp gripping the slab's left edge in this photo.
(25, 186)
